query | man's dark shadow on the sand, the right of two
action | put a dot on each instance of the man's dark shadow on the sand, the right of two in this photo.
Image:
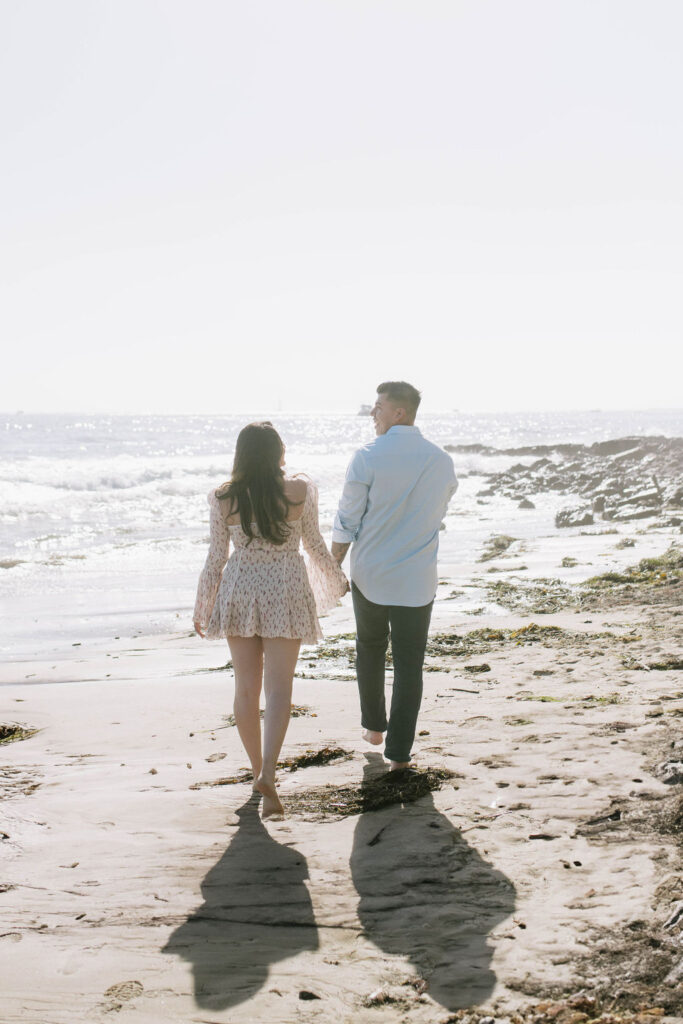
(426, 895)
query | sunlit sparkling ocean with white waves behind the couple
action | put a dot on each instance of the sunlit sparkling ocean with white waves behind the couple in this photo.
(104, 520)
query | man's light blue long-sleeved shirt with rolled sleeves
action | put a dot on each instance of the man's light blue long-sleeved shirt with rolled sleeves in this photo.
(396, 495)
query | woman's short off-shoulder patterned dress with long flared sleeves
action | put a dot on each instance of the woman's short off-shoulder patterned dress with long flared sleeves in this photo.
(266, 589)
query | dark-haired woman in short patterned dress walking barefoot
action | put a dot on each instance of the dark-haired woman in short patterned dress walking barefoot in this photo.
(267, 601)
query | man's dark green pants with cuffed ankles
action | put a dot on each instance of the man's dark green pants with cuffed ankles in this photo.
(408, 628)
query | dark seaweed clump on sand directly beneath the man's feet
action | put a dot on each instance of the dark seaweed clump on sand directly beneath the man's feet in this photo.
(369, 795)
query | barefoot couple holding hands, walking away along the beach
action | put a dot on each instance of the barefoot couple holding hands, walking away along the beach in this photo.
(266, 599)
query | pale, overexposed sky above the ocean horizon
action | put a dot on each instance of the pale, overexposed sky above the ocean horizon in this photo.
(212, 206)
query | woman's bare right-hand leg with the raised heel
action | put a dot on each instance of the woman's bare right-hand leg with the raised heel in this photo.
(281, 657)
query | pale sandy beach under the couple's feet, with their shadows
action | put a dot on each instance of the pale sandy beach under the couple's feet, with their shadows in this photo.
(548, 864)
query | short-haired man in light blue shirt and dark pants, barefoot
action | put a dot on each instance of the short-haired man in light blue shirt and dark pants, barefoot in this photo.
(396, 495)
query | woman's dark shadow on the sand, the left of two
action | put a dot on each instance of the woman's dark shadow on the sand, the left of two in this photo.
(257, 912)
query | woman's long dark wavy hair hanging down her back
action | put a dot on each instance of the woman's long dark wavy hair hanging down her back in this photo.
(257, 489)
